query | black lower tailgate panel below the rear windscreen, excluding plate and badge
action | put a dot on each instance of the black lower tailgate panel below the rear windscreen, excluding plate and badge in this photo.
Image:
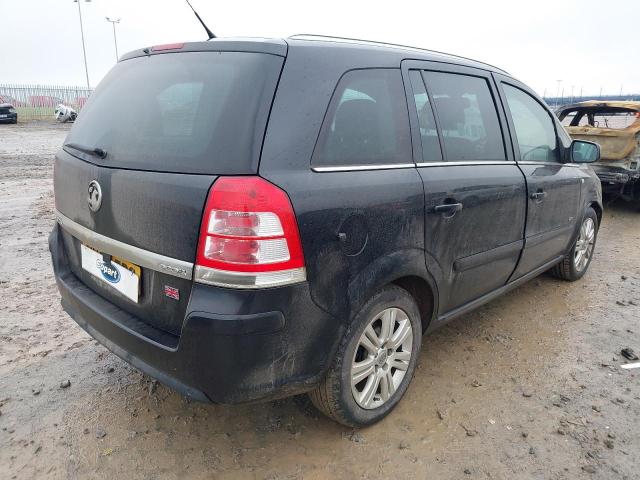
(156, 212)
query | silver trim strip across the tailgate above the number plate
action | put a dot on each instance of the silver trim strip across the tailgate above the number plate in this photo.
(139, 256)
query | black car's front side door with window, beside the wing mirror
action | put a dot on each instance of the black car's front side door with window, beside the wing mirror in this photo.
(553, 187)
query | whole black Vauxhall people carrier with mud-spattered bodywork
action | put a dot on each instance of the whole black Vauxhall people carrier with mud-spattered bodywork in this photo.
(291, 215)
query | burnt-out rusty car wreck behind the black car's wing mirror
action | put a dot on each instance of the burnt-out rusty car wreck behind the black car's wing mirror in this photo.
(615, 126)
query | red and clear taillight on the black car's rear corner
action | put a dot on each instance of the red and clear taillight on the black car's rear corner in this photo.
(249, 236)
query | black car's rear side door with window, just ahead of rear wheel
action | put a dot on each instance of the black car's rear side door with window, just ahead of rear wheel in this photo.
(474, 192)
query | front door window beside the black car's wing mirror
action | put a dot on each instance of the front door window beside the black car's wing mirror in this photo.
(534, 126)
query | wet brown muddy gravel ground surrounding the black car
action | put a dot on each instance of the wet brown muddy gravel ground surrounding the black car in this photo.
(529, 386)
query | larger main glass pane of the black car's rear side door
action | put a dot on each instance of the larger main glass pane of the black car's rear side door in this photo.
(467, 117)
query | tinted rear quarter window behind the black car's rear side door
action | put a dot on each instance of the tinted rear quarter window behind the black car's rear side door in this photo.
(366, 123)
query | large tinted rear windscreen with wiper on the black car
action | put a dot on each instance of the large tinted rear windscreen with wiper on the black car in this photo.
(191, 112)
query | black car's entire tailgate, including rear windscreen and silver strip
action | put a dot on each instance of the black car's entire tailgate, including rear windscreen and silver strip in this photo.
(169, 123)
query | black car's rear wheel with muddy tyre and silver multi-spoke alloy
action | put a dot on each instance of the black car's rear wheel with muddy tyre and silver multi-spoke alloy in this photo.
(375, 361)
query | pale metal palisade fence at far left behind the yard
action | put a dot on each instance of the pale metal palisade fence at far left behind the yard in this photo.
(38, 102)
